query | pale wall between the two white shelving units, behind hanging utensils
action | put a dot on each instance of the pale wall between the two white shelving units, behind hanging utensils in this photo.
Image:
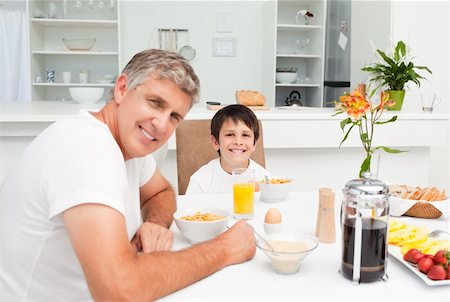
(220, 76)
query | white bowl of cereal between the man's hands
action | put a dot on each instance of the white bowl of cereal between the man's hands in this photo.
(201, 224)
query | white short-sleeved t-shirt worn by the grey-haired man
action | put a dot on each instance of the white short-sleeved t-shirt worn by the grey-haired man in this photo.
(72, 162)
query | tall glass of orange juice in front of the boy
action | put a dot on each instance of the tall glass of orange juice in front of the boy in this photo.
(243, 190)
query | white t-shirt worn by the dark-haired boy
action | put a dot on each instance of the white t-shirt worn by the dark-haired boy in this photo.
(212, 178)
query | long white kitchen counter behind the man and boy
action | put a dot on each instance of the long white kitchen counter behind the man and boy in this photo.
(302, 144)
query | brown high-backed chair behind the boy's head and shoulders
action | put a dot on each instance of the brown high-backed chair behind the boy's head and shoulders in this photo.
(194, 149)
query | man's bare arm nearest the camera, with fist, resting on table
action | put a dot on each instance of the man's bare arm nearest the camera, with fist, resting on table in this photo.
(114, 272)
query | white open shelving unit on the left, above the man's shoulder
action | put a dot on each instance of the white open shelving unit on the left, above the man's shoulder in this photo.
(49, 23)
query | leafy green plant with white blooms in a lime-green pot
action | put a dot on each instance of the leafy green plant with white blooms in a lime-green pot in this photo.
(393, 71)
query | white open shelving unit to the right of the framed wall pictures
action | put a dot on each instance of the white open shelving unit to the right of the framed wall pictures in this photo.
(301, 46)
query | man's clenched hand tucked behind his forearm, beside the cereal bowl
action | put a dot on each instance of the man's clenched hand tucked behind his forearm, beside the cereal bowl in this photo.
(152, 237)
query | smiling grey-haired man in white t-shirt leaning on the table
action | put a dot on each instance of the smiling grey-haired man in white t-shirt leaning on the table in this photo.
(70, 213)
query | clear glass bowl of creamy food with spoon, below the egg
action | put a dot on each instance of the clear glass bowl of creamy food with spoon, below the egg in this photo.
(287, 250)
